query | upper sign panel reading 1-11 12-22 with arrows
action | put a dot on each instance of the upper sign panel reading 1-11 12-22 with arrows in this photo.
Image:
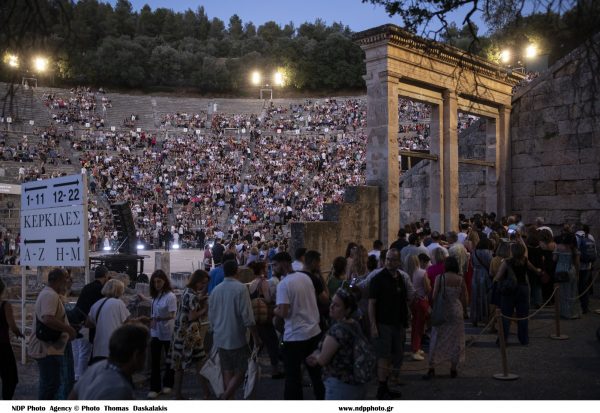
(50, 193)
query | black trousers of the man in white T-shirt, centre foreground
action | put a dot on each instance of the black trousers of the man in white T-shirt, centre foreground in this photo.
(294, 354)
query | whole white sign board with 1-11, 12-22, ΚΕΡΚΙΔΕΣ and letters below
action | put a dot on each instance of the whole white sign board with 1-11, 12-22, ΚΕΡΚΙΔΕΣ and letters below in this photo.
(54, 222)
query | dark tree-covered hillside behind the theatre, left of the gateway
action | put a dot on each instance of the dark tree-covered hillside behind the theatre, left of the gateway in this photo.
(115, 45)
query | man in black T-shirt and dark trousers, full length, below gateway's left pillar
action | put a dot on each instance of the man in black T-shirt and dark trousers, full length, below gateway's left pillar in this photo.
(388, 316)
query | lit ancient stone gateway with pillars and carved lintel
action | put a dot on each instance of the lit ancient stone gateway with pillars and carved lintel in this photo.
(401, 64)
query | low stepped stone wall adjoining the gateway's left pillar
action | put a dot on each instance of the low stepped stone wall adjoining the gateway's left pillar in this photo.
(355, 220)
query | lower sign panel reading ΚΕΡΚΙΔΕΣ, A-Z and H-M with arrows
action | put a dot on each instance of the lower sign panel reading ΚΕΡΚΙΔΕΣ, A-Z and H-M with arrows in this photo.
(54, 237)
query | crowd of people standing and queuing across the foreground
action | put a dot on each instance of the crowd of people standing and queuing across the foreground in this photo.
(347, 327)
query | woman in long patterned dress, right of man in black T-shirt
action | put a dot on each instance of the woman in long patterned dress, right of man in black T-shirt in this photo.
(448, 334)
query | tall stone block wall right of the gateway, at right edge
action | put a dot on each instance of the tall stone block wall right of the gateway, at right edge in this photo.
(555, 134)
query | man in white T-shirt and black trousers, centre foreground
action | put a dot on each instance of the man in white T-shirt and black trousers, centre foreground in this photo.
(297, 305)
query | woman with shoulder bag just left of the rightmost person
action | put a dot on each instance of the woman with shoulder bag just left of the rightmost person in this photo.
(566, 274)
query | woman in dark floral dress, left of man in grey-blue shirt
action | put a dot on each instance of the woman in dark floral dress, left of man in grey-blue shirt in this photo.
(187, 347)
